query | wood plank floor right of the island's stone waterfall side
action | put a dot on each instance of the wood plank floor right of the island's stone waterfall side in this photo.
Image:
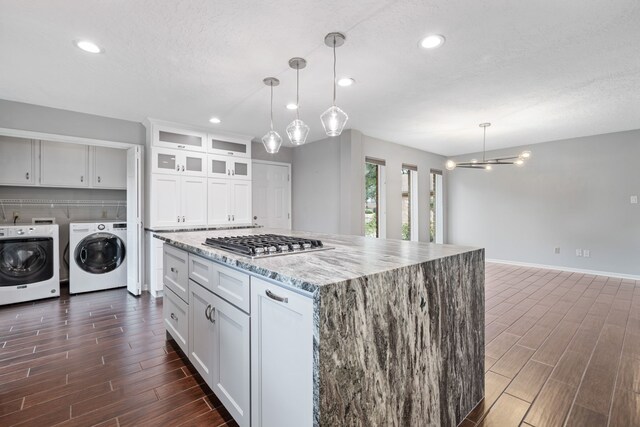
(562, 349)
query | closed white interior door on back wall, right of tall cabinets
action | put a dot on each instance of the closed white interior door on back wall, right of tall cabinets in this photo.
(271, 195)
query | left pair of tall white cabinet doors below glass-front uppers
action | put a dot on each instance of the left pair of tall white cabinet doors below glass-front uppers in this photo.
(178, 200)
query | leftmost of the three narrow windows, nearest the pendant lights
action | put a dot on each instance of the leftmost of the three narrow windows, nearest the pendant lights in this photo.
(374, 198)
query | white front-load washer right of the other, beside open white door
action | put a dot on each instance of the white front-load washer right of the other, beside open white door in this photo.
(97, 256)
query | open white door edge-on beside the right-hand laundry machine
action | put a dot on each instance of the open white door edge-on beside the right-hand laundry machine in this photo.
(134, 220)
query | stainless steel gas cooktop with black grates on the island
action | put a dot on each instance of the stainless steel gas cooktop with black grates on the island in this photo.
(266, 245)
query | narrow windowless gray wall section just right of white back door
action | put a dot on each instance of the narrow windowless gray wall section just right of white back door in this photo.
(316, 186)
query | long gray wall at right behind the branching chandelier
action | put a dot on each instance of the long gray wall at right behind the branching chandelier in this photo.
(572, 194)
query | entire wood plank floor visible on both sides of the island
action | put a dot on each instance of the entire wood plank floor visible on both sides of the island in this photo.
(562, 349)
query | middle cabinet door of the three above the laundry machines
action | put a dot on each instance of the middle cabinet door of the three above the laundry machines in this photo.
(64, 165)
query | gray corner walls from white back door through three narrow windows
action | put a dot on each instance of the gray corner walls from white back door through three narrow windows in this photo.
(328, 183)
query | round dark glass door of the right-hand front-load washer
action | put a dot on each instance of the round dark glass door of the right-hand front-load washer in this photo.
(100, 253)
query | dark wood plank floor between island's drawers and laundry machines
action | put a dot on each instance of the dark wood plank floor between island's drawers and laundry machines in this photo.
(97, 359)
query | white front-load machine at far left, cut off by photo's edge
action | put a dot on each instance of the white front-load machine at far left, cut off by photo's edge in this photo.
(29, 263)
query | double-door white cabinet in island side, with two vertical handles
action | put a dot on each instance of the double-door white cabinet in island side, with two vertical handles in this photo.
(219, 349)
